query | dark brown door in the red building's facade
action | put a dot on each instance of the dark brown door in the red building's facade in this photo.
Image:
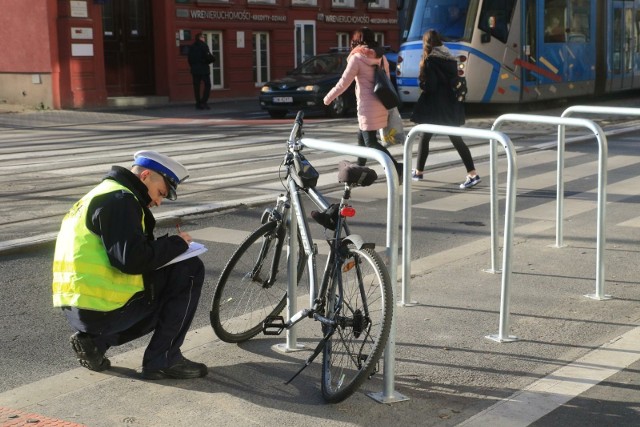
(128, 47)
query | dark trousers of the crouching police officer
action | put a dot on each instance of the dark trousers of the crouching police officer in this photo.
(168, 315)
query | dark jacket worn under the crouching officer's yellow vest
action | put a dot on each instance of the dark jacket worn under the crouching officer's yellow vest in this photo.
(117, 218)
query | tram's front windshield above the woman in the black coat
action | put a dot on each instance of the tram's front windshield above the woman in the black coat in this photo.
(451, 18)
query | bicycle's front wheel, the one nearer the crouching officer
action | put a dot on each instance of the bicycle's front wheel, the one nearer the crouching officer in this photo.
(241, 304)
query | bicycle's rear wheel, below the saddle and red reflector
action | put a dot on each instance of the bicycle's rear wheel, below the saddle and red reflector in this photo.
(363, 315)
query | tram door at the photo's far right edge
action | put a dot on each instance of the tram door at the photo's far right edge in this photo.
(622, 45)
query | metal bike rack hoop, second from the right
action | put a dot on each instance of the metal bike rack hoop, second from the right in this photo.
(602, 186)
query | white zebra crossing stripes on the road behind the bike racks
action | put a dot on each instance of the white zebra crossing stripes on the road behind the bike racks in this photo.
(454, 200)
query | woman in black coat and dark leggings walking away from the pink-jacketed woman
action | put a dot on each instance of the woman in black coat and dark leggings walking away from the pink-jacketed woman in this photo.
(438, 105)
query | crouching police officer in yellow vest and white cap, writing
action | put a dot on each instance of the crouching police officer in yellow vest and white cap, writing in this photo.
(107, 277)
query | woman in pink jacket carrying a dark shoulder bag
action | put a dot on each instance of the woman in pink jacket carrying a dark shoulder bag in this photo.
(372, 115)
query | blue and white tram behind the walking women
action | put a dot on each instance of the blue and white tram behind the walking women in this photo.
(526, 50)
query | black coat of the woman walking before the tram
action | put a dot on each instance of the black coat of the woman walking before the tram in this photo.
(437, 104)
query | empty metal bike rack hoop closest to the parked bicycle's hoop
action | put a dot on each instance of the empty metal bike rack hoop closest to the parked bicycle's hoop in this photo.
(503, 332)
